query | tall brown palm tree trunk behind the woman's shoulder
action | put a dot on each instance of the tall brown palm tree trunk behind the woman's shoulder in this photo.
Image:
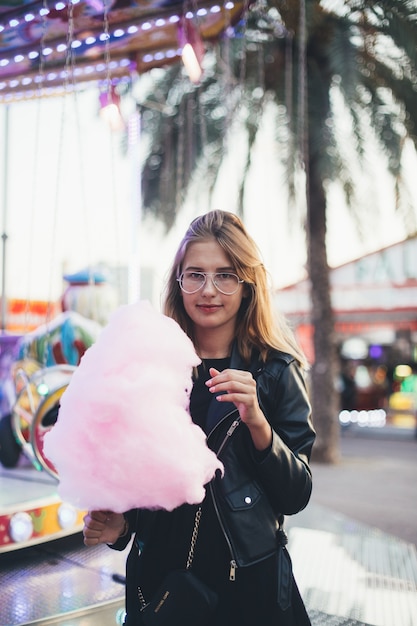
(324, 396)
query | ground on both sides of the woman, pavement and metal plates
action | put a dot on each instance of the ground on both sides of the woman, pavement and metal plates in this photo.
(353, 550)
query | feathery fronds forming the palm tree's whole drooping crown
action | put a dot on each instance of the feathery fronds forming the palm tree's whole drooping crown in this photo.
(345, 51)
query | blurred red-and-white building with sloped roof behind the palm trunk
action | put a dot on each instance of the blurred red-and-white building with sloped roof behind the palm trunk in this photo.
(375, 307)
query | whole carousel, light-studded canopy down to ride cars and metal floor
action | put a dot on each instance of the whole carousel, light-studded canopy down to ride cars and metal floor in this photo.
(52, 49)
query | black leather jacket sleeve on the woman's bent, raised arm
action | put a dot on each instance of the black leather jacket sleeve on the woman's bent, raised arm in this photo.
(284, 472)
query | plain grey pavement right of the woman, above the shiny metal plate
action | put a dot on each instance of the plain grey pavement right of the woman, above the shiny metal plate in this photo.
(375, 481)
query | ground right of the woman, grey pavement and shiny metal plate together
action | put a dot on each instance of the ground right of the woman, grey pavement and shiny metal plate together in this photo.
(354, 547)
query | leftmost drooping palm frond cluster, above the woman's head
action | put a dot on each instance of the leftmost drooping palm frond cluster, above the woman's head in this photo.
(192, 118)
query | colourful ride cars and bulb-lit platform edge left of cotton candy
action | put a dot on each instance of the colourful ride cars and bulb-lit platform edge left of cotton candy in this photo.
(39, 367)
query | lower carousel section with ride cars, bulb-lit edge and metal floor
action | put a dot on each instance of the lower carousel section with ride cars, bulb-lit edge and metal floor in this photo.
(46, 573)
